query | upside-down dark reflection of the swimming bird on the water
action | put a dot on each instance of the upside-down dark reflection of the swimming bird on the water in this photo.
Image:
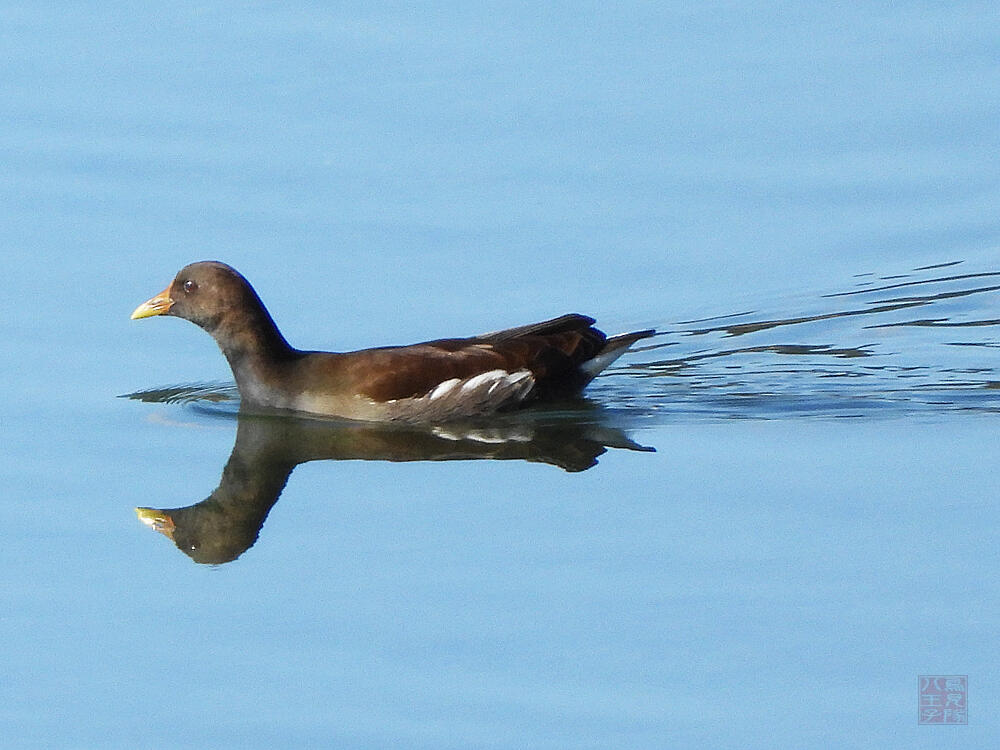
(268, 448)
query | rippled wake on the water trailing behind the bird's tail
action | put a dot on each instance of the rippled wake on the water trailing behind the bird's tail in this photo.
(875, 356)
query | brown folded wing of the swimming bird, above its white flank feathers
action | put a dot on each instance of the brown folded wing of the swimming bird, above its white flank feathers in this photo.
(552, 351)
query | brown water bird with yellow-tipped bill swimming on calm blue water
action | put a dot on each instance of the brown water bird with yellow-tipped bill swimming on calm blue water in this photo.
(430, 382)
